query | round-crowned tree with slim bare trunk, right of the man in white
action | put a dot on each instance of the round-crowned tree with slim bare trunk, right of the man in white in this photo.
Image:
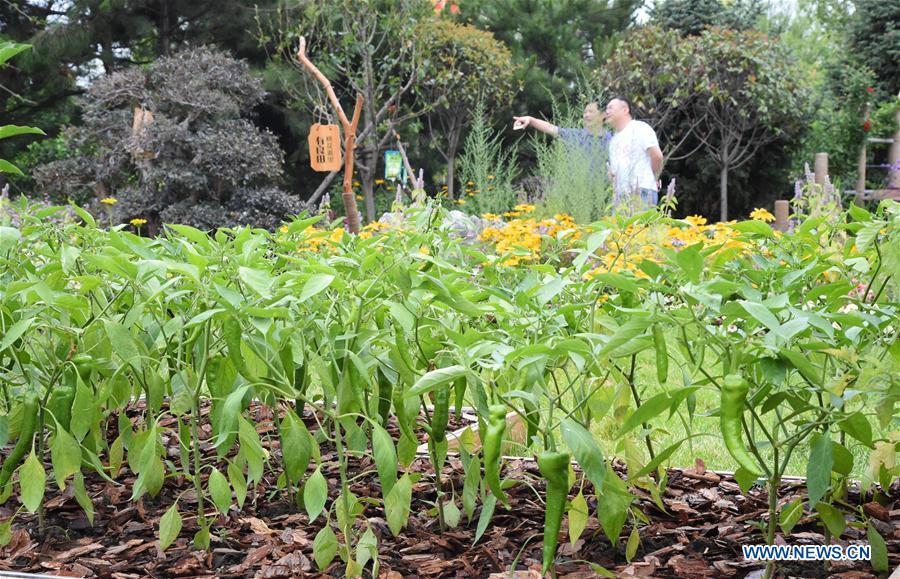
(753, 98)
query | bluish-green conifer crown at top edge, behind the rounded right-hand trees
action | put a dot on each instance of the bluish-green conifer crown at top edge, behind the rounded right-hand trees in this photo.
(691, 17)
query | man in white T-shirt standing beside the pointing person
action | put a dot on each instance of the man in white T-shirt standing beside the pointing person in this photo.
(635, 159)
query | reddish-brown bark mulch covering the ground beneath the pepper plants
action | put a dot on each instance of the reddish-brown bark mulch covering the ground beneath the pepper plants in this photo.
(700, 534)
